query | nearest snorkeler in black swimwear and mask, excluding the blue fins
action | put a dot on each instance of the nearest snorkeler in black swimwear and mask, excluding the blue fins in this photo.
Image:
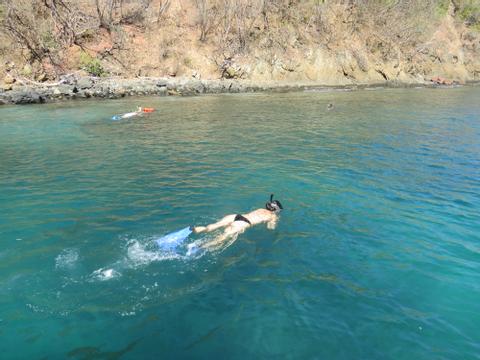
(237, 223)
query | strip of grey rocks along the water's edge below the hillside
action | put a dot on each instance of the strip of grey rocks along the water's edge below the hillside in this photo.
(72, 88)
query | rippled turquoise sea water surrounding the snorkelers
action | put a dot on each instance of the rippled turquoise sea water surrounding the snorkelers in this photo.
(376, 256)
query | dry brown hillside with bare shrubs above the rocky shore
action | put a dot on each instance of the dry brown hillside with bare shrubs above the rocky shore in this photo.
(333, 43)
